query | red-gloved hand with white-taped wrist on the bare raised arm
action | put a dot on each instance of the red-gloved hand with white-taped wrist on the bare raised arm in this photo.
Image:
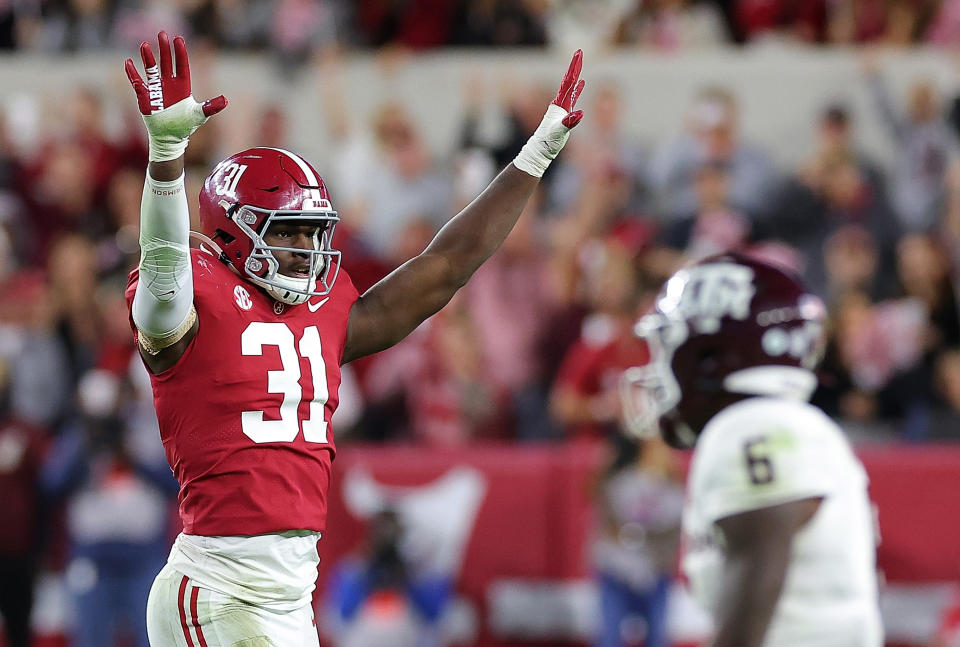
(552, 133)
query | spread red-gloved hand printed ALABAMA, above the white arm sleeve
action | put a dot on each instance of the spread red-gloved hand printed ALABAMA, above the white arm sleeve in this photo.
(169, 110)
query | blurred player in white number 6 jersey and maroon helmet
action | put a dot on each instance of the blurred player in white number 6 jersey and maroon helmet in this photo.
(778, 529)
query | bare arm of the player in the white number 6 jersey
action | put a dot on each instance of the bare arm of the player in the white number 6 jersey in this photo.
(756, 558)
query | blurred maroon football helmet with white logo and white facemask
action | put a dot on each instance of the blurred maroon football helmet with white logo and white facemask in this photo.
(722, 329)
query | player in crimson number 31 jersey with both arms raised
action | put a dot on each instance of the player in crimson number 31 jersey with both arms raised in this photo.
(244, 339)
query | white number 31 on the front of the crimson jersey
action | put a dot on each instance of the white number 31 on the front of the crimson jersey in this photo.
(286, 382)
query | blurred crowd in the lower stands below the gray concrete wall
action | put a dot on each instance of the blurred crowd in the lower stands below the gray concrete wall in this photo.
(531, 349)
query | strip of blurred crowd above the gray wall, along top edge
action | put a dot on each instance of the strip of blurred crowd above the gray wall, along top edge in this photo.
(292, 27)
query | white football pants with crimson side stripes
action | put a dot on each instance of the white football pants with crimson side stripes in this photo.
(180, 614)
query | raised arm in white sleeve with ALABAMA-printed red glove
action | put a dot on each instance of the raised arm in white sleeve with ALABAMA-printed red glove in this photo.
(163, 304)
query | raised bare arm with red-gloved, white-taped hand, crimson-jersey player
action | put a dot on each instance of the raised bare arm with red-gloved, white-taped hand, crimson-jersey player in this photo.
(391, 309)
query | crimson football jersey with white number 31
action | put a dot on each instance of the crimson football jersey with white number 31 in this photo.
(245, 413)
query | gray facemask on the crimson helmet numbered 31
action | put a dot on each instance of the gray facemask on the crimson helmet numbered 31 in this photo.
(262, 267)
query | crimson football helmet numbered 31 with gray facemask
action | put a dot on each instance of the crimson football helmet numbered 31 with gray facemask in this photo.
(248, 192)
